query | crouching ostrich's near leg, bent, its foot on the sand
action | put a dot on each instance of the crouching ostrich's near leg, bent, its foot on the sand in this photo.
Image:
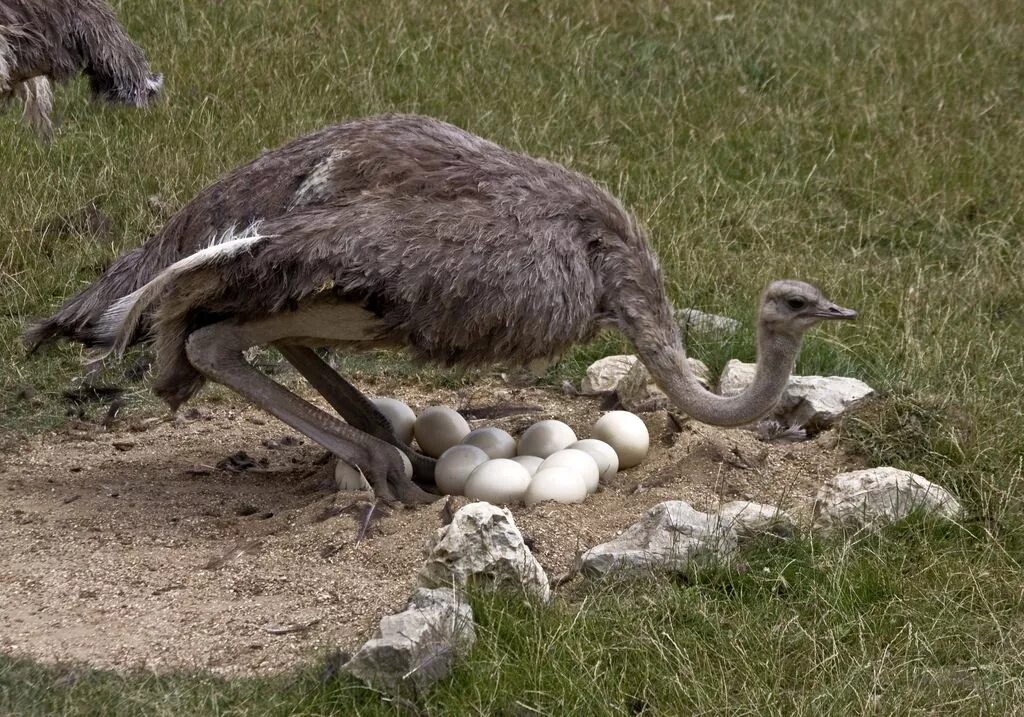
(217, 352)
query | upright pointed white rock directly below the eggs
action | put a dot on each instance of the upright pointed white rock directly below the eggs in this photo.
(483, 545)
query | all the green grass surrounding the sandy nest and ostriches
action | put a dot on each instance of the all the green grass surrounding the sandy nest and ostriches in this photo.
(873, 148)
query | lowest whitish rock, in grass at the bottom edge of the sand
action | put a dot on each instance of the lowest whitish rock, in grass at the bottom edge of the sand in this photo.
(416, 648)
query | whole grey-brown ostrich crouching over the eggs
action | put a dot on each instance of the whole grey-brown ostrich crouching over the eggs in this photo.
(404, 231)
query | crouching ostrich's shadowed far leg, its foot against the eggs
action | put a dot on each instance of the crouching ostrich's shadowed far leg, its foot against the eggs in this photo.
(353, 405)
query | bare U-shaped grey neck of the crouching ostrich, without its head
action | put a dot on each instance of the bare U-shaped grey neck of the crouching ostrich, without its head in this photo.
(777, 356)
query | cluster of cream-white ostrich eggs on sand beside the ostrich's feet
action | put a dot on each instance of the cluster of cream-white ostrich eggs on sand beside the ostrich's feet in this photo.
(548, 463)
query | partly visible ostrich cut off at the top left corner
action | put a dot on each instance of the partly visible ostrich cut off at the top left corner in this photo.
(54, 40)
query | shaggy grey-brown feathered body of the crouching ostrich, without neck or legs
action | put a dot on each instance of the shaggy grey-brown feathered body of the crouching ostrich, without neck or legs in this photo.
(467, 252)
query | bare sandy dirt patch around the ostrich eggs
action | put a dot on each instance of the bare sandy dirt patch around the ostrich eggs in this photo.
(140, 546)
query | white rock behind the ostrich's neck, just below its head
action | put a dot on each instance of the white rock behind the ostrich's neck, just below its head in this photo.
(816, 402)
